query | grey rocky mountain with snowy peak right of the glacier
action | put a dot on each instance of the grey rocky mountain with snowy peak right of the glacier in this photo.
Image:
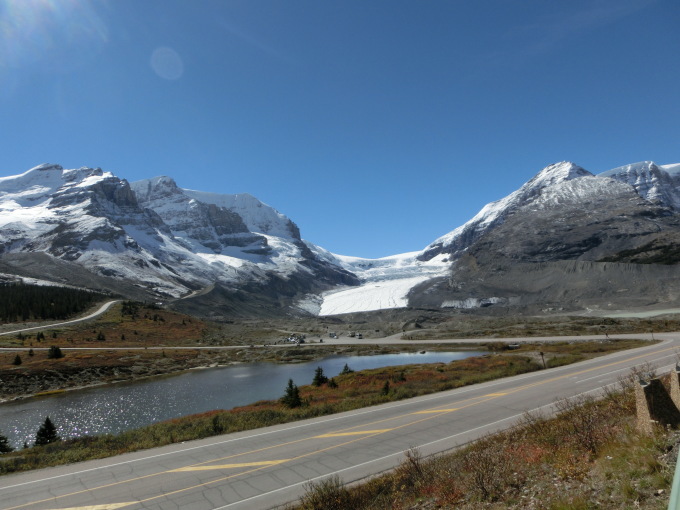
(566, 240)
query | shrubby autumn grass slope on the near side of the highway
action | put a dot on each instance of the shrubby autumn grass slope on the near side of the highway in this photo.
(588, 456)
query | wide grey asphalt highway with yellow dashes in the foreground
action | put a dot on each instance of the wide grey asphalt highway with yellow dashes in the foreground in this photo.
(268, 467)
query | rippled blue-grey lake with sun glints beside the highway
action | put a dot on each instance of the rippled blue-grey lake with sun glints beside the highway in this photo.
(124, 406)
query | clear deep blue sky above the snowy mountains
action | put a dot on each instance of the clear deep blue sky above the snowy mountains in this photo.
(377, 126)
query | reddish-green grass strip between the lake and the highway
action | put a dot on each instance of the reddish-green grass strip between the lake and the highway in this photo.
(354, 390)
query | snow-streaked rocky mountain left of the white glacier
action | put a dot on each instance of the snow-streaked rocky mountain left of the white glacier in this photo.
(154, 240)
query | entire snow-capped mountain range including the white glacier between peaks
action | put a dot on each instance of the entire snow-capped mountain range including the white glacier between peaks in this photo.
(565, 239)
